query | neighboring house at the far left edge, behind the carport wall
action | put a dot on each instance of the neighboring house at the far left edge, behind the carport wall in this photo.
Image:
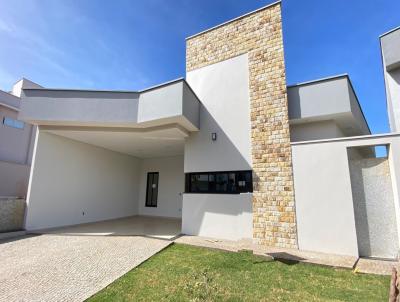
(17, 140)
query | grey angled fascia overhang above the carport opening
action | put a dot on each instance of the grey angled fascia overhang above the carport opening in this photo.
(169, 103)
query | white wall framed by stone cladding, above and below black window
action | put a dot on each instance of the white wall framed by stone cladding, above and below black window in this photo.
(223, 89)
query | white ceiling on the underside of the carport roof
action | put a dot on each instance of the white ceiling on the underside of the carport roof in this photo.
(147, 144)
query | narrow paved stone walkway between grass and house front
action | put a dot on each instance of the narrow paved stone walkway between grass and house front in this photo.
(363, 265)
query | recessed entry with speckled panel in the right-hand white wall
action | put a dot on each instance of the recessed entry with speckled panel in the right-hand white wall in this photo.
(373, 201)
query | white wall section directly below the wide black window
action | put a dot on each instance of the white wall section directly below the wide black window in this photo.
(220, 216)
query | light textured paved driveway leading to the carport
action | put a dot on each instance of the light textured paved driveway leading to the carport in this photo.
(59, 267)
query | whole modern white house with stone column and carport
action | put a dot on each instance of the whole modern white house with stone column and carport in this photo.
(231, 150)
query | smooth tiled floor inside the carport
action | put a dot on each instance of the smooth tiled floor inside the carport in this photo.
(157, 227)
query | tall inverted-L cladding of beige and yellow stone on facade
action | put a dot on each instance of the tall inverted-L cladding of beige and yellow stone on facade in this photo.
(260, 35)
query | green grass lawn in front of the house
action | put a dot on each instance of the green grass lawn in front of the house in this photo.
(186, 273)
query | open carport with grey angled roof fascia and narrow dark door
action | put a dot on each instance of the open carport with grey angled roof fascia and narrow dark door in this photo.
(109, 161)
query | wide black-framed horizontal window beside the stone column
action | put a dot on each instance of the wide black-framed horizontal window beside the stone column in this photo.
(234, 182)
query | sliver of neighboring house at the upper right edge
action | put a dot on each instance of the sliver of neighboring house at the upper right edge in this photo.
(390, 46)
